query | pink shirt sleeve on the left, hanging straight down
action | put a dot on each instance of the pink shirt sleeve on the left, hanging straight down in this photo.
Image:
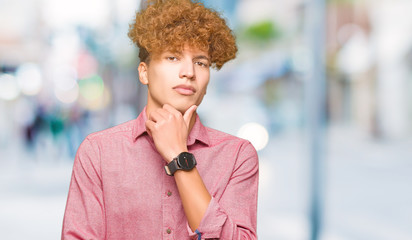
(84, 214)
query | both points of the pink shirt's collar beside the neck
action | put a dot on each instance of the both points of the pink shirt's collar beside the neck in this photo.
(199, 131)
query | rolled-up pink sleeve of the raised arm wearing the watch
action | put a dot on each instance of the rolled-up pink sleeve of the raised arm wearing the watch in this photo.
(234, 215)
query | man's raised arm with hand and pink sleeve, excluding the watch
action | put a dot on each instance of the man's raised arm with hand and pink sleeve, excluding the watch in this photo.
(234, 214)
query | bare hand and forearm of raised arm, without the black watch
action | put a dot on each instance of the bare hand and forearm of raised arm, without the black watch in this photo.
(169, 130)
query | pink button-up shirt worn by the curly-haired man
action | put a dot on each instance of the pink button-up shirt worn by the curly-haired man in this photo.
(119, 188)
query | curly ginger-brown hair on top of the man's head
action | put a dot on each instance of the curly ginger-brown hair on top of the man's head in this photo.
(169, 25)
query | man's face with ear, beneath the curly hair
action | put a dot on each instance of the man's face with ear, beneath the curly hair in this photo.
(178, 79)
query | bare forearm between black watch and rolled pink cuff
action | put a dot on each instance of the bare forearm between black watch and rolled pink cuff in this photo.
(194, 196)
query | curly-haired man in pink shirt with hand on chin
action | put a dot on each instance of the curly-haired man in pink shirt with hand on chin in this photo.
(164, 175)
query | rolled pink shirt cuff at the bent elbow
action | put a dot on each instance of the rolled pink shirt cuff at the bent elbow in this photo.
(211, 224)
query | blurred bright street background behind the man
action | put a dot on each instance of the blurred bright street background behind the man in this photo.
(323, 89)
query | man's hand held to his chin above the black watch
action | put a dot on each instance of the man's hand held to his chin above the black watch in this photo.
(169, 130)
